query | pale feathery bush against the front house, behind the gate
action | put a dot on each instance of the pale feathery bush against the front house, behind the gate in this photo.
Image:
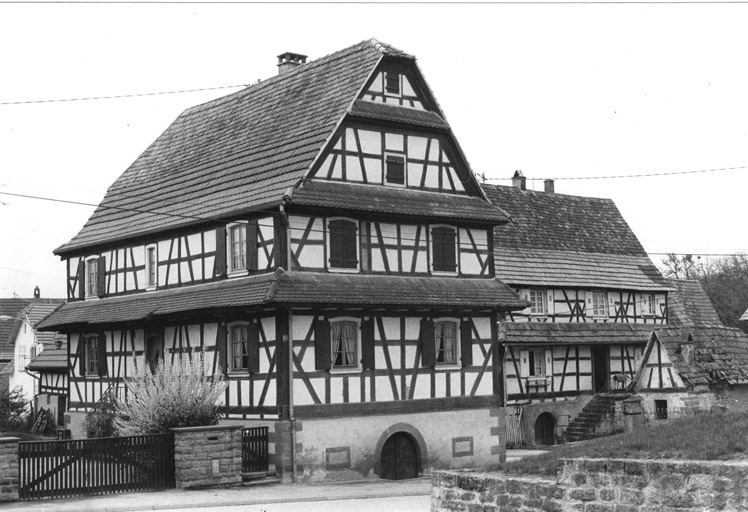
(175, 394)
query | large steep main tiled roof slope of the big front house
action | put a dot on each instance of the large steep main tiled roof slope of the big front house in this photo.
(235, 154)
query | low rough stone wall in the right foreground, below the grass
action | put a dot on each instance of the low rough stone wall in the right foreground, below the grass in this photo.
(600, 485)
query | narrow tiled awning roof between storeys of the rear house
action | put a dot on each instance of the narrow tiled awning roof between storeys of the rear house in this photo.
(539, 333)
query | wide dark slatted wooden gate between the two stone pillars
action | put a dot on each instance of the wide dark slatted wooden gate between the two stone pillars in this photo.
(56, 469)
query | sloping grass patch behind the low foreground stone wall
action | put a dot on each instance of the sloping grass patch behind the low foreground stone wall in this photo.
(703, 437)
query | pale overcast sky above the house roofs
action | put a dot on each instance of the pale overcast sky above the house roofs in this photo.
(557, 91)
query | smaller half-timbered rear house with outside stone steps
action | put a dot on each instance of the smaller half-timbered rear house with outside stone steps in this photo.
(594, 296)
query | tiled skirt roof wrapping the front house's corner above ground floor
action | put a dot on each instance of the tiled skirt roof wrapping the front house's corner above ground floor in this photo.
(289, 288)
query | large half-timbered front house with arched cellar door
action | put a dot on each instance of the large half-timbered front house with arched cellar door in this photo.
(321, 239)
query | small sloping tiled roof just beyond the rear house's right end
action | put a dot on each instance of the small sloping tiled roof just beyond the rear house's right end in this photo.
(689, 304)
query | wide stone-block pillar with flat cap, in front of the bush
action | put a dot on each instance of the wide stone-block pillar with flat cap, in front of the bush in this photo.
(207, 456)
